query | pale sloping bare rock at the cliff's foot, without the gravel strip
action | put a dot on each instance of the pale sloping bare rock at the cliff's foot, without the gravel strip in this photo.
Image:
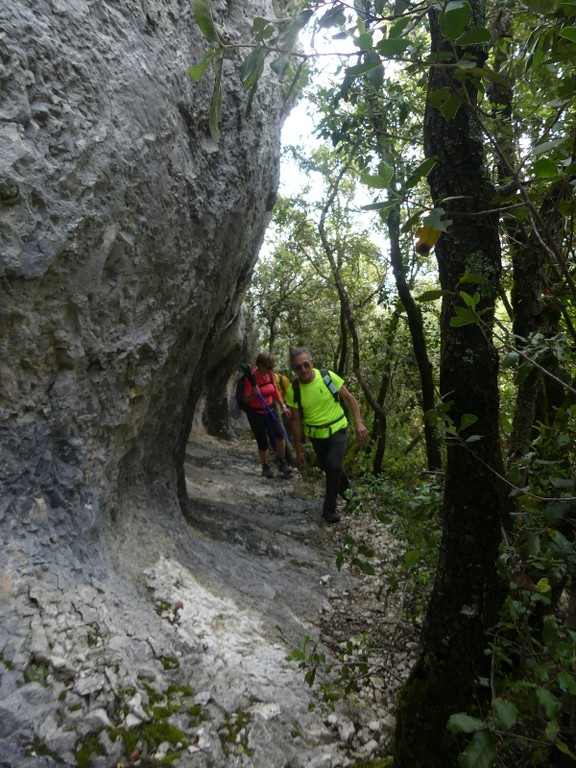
(184, 654)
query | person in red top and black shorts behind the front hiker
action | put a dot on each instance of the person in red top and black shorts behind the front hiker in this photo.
(260, 392)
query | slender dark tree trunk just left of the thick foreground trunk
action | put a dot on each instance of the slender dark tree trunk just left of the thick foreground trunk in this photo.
(428, 400)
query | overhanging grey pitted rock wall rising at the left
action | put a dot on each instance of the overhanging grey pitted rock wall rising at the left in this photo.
(127, 238)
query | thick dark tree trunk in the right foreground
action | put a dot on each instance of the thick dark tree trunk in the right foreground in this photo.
(467, 592)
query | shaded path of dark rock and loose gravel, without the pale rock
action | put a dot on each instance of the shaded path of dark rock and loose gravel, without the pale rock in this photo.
(358, 619)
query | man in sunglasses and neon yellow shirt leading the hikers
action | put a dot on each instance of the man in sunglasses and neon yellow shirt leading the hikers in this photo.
(319, 414)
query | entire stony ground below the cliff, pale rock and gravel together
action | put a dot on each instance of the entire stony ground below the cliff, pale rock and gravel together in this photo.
(177, 651)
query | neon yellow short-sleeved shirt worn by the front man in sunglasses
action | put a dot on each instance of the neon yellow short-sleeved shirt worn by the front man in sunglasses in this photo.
(322, 414)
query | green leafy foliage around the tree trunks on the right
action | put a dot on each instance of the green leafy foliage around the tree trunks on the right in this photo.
(512, 75)
